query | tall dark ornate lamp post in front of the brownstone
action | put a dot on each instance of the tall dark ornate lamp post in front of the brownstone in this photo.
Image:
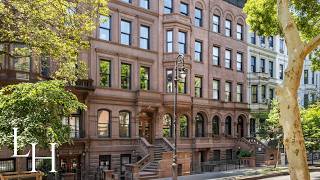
(180, 73)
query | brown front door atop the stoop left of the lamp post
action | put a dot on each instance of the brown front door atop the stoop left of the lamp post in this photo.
(145, 127)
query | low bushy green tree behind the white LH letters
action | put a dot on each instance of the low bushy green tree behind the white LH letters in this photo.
(37, 111)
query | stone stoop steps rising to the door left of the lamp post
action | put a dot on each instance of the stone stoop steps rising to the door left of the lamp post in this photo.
(150, 171)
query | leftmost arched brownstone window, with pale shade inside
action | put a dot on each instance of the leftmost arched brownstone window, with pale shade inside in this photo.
(104, 123)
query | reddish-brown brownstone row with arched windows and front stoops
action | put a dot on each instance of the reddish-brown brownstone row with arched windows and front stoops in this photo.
(130, 94)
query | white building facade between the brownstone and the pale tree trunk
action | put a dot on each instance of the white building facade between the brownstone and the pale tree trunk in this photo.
(267, 60)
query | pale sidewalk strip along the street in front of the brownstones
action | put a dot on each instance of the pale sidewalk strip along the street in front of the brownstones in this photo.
(222, 174)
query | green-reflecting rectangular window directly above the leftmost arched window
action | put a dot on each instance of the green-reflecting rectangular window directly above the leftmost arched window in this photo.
(105, 73)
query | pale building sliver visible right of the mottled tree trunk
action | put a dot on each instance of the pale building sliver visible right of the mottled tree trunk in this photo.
(309, 90)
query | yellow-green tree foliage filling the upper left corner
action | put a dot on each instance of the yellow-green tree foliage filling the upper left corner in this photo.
(58, 29)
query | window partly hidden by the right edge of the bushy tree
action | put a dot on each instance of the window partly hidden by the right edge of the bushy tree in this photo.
(74, 123)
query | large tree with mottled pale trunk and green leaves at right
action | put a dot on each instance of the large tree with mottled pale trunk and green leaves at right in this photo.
(298, 21)
